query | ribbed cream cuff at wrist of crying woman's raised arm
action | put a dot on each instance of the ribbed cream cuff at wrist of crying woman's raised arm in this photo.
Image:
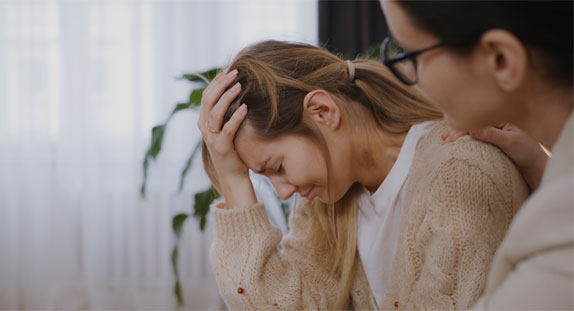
(235, 222)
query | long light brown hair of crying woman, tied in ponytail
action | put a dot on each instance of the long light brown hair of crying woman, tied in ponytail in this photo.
(275, 77)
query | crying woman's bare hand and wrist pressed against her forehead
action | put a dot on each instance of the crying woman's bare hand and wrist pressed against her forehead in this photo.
(232, 173)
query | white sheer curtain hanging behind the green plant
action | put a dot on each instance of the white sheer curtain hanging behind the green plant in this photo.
(81, 84)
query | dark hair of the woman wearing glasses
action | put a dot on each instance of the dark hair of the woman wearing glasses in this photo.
(544, 25)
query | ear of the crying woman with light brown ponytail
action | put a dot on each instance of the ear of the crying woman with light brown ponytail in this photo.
(321, 108)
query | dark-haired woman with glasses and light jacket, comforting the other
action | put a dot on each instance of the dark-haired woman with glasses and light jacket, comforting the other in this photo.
(488, 62)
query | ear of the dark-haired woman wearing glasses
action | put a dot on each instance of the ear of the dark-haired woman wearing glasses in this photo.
(506, 58)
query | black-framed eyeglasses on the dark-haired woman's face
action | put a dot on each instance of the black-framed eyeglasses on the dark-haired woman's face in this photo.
(404, 66)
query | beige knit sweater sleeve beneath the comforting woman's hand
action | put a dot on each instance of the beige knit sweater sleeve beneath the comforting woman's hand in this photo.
(454, 229)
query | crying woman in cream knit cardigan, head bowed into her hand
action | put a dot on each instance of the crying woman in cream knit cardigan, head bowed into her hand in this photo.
(364, 153)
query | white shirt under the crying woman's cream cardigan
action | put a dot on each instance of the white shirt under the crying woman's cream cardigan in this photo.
(380, 214)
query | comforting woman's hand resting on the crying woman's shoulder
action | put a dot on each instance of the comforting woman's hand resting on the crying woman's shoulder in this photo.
(525, 152)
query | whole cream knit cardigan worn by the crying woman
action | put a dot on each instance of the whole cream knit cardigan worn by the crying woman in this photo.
(459, 202)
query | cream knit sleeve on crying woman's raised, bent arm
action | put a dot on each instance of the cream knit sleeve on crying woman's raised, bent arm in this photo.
(257, 268)
